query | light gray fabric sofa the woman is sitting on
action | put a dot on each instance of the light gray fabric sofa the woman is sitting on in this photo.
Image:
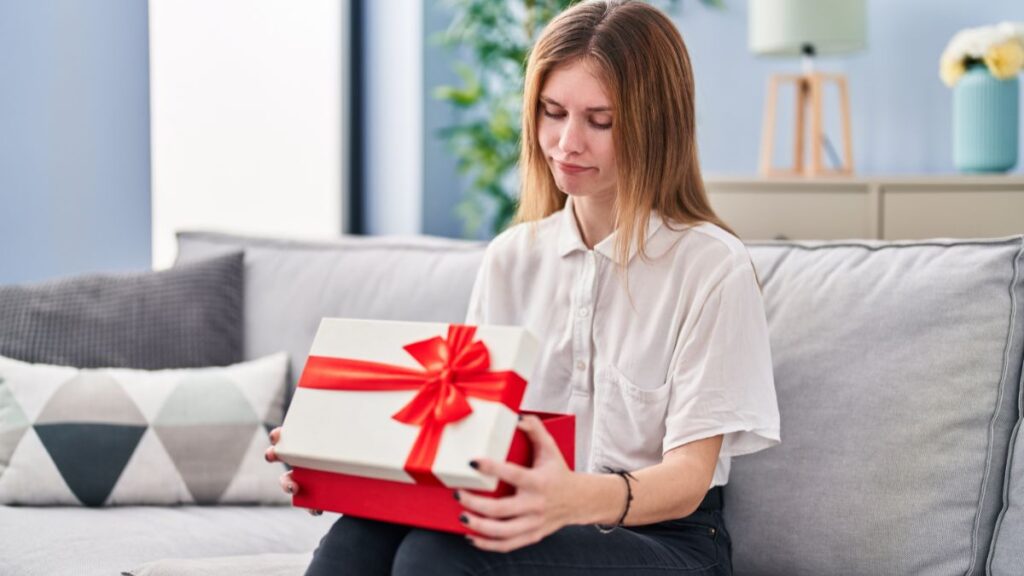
(898, 365)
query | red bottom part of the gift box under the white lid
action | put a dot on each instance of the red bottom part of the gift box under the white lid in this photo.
(413, 505)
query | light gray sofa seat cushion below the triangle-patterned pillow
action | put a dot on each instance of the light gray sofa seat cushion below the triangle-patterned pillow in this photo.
(109, 542)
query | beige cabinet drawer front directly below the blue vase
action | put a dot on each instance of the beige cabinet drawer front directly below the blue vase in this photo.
(911, 216)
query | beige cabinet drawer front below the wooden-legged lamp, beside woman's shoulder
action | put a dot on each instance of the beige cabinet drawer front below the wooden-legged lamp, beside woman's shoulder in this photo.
(796, 216)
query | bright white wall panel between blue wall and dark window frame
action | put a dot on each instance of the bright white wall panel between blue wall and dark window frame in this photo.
(247, 109)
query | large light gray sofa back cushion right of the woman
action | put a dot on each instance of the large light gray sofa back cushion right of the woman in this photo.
(898, 368)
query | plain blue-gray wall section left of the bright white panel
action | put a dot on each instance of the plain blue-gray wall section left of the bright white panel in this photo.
(74, 138)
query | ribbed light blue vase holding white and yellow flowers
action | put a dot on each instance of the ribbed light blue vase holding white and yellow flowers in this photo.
(986, 122)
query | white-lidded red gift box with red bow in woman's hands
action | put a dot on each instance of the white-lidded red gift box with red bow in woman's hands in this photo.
(388, 417)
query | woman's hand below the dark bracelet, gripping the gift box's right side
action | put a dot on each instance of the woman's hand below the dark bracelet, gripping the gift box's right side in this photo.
(545, 499)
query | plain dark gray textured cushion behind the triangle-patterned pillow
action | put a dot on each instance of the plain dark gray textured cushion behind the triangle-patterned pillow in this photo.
(187, 317)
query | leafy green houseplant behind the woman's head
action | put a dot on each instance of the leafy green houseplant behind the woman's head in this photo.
(497, 37)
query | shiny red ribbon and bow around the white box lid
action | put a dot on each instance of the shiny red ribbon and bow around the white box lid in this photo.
(454, 371)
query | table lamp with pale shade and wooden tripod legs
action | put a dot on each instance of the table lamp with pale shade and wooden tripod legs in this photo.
(807, 29)
